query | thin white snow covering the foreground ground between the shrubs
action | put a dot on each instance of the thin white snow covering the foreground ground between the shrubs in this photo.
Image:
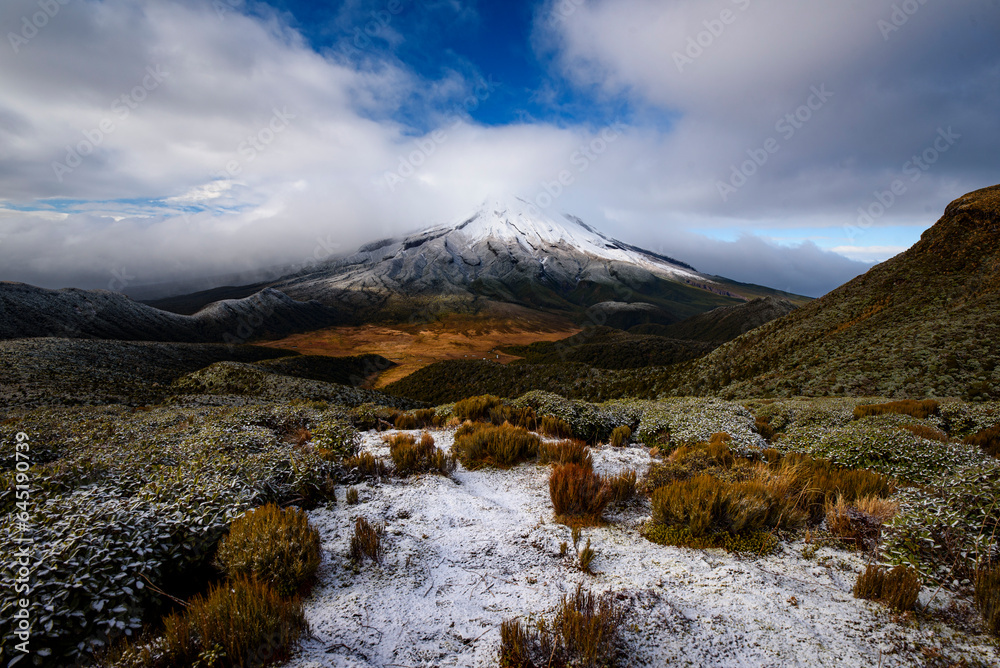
(465, 553)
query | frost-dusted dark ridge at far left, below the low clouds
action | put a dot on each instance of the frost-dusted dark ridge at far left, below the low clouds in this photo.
(27, 311)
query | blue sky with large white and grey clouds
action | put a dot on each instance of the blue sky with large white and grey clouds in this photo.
(757, 139)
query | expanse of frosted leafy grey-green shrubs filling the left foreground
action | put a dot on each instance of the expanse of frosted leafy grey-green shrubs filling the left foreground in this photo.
(139, 496)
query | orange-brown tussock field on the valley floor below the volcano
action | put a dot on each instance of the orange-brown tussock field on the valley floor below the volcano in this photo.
(415, 346)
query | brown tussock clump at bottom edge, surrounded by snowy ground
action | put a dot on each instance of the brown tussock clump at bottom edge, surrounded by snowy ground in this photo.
(585, 633)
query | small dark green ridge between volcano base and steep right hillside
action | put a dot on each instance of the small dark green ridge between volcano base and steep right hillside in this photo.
(724, 323)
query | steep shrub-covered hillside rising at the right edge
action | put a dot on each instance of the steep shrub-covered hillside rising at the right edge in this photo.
(925, 322)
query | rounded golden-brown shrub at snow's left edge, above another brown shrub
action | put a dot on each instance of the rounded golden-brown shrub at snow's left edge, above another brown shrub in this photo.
(272, 545)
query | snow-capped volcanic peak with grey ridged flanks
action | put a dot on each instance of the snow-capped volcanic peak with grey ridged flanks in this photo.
(511, 252)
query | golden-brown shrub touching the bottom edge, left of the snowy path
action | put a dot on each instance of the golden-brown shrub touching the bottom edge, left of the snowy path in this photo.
(238, 624)
